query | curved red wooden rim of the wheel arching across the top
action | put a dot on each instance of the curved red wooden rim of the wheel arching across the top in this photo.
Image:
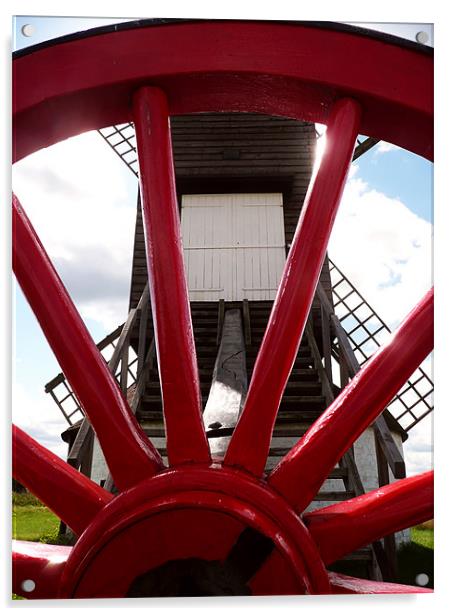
(223, 66)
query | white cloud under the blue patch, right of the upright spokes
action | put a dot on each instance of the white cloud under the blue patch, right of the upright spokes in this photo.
(383, 248)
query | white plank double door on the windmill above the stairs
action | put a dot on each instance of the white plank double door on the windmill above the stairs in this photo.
(233, 245)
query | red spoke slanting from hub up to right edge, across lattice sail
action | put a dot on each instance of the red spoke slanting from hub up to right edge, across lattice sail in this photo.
(358, 405)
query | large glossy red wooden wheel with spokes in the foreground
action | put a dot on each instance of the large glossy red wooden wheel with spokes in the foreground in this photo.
(185, 520)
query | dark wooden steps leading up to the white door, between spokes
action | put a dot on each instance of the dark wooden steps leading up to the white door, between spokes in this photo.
(302, 403)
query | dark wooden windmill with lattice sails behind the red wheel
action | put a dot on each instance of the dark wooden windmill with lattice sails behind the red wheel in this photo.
(241, 182)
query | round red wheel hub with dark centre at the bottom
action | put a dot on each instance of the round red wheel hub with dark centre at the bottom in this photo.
(188, 532)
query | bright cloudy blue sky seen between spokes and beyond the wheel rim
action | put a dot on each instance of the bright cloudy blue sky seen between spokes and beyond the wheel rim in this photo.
(390, 267)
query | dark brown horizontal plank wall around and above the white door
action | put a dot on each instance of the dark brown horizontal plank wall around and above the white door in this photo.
(229, 152)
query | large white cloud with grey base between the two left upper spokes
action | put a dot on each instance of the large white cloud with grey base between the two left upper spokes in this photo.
(80, 197)
